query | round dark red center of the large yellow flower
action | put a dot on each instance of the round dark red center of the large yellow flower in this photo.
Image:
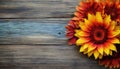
(98, 35)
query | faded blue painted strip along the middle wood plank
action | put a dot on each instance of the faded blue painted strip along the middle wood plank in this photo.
(31, 28)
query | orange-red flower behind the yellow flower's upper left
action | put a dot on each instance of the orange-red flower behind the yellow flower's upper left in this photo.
(89, 6)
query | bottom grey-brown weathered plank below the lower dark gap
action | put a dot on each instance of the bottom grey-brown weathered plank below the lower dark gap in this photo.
(44, 57)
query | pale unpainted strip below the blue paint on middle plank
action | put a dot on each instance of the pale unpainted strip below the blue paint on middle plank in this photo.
(32, 40)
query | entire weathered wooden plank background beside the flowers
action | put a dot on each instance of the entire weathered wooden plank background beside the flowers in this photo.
(32, 36)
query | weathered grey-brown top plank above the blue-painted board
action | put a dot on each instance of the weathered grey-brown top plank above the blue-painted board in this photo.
(37, 9)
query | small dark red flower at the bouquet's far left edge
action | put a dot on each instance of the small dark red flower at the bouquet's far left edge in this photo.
(71, 26)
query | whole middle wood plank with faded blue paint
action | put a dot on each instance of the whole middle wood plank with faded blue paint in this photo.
(33, 31)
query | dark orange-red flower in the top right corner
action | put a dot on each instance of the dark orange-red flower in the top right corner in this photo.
(112, 8)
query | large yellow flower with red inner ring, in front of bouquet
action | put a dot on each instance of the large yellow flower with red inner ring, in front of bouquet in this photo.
(97, 35)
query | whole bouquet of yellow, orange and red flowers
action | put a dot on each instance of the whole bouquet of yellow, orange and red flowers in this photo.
(95, 28)
